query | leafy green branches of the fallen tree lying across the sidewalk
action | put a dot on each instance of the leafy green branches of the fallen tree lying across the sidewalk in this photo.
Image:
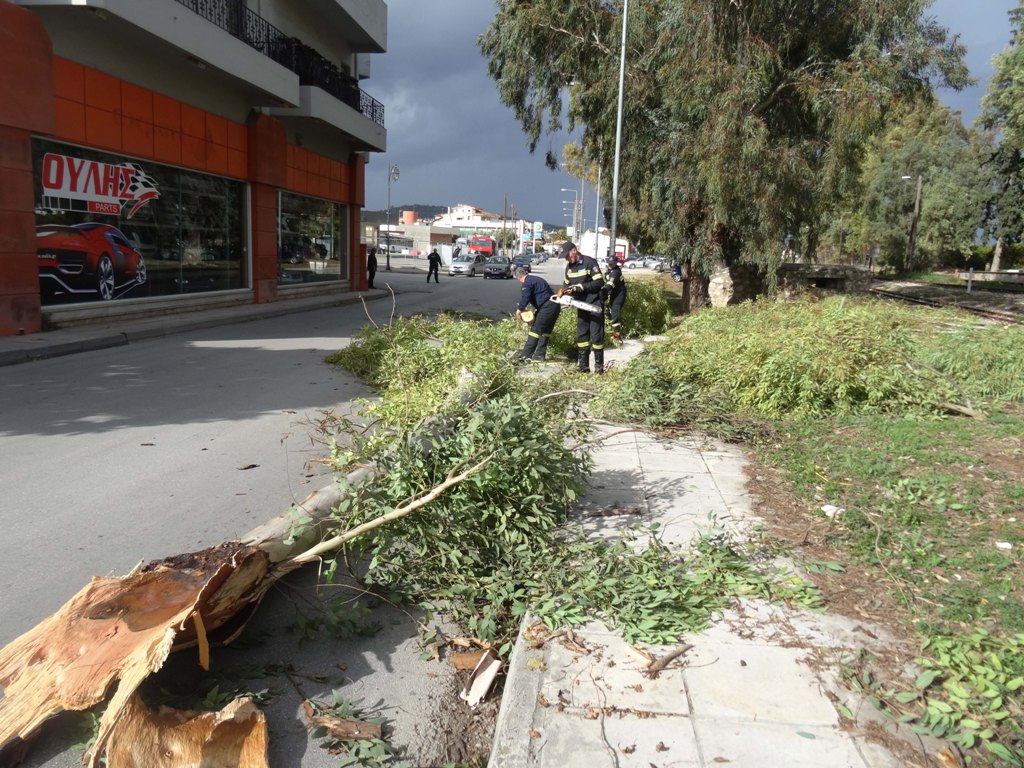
(489, 549)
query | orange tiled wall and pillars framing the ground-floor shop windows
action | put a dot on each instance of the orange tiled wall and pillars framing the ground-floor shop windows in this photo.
(56, 98)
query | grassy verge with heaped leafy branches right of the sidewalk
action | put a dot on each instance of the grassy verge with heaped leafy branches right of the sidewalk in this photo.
(911, 422)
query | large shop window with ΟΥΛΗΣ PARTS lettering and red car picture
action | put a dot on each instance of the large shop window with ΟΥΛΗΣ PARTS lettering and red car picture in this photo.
(108, 228)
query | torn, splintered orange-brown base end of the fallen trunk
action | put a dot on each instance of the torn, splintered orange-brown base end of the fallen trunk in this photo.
(123, 630)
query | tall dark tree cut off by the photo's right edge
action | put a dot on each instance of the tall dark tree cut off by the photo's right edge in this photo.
(1003, 115)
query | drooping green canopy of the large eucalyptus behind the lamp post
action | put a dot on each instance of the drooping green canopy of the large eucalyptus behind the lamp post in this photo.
(744, 119)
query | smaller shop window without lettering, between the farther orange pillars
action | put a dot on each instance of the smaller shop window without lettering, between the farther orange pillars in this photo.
(313, 241)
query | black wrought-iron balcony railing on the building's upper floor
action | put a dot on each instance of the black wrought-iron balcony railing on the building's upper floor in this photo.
(236, 19)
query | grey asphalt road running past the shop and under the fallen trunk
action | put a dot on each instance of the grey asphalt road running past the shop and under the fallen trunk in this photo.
(178, 444)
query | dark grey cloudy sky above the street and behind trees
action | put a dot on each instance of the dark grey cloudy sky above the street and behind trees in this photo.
(455, 143)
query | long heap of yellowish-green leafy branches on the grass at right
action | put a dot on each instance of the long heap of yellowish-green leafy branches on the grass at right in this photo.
(818, 359)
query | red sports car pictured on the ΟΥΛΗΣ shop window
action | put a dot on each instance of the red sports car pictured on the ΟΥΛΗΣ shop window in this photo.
(88, 259)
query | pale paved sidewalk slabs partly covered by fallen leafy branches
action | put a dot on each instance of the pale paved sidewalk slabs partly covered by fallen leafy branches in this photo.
(758, 690)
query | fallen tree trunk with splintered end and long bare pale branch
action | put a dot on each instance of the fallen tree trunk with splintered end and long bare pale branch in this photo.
(121, 630)
